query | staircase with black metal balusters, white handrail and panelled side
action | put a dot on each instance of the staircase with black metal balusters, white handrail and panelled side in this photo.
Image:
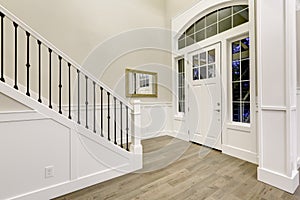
(74, 132)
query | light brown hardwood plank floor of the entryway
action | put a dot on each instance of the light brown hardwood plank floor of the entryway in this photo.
(179, 170)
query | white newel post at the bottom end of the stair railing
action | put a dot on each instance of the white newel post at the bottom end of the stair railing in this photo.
(136, 146)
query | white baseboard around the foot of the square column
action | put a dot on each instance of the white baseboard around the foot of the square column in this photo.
(280, 181)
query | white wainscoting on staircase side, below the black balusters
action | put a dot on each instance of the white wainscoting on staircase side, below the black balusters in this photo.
(30, 142)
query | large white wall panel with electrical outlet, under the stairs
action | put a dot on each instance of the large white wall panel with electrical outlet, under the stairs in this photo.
(26, 148)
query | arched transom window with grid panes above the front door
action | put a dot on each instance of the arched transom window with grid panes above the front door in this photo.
(213, 23)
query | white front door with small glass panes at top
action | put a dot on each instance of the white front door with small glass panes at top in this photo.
(204, 96)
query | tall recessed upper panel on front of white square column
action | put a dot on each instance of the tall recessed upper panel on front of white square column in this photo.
(272, 60)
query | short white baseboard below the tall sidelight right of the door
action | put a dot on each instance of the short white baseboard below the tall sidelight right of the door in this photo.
(240, 153)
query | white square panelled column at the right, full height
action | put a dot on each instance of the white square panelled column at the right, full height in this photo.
(285, 174)
